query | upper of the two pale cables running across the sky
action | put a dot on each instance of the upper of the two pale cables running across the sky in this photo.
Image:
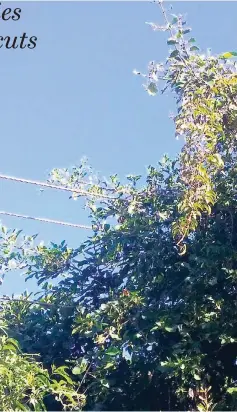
(52, 186)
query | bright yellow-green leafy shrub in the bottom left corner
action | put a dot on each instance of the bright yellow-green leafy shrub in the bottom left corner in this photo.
(25, 384)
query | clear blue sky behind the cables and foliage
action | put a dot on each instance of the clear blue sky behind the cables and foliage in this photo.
(75, 95)
